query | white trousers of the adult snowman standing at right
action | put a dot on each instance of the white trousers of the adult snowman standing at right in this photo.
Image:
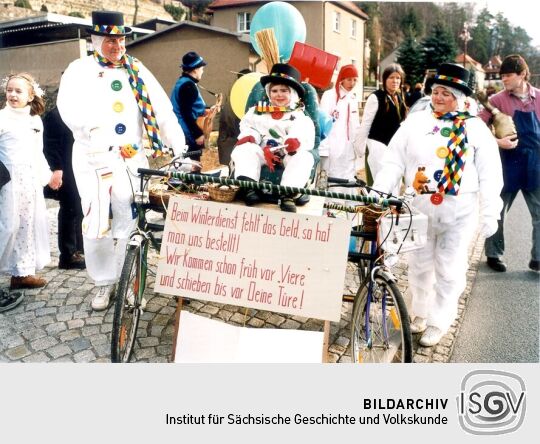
(438, 272)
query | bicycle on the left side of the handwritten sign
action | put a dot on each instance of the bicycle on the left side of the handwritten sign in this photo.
(128, 305)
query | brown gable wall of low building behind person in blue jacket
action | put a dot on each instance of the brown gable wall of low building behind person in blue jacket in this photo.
(226, 53)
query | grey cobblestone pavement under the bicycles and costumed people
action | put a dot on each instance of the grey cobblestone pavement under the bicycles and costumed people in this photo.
(55, 323)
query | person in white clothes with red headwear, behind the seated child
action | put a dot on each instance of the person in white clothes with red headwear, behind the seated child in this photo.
(339, 152)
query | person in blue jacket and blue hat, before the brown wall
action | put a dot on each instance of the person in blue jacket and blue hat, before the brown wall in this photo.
(188, 103)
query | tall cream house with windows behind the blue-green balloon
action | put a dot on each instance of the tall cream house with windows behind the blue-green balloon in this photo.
(335, 27)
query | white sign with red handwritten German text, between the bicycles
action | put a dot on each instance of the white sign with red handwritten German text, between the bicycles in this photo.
(251, 257)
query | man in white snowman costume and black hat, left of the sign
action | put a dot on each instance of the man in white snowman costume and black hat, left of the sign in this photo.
(109, 100)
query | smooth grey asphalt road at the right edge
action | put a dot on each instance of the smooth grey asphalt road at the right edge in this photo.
(501, 323)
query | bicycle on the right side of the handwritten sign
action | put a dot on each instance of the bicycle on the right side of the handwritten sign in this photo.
(380, 326)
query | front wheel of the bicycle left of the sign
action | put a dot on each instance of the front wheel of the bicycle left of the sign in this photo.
(126, 310)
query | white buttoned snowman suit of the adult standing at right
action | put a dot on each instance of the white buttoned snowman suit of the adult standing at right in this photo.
(437, 272)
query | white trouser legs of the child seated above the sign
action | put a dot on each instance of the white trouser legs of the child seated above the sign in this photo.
(248, 160)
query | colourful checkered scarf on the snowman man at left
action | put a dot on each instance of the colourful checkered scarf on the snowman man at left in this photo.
(141, 95)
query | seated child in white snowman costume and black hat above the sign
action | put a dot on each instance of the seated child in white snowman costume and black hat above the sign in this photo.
(268, 126)
